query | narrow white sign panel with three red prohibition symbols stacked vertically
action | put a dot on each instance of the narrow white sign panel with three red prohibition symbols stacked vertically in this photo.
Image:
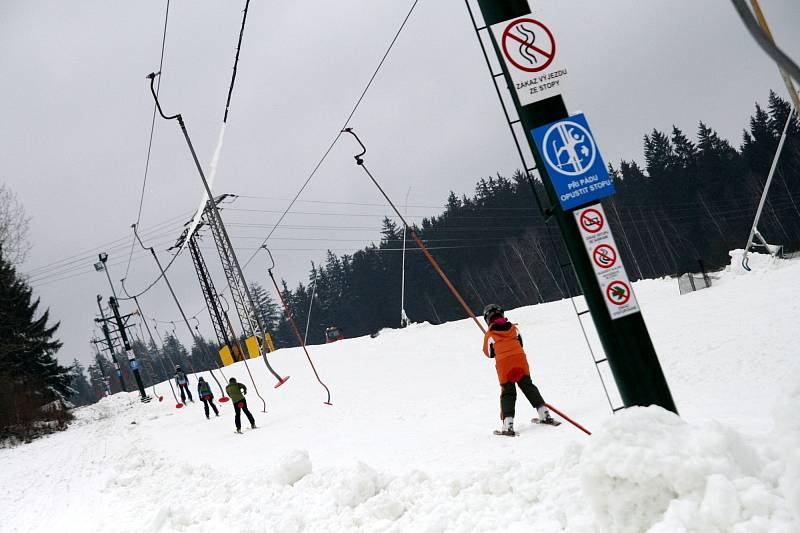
(607, 265)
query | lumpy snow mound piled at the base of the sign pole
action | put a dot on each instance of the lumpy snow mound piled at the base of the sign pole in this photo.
(648, 470)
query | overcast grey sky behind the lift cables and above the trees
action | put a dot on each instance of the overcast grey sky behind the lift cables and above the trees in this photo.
(77, 112)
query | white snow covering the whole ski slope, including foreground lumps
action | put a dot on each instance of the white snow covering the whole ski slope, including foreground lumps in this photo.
(408, 444)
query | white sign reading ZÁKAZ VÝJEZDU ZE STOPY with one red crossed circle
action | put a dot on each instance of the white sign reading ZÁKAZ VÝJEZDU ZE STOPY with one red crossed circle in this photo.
(530, 51)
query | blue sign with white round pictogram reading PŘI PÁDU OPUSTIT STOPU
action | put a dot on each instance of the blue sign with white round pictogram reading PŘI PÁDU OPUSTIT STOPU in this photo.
(573, 162)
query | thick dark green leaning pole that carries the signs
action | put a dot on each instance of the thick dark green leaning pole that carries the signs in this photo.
(625, 339)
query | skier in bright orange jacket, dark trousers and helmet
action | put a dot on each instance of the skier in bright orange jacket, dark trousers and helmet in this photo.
(503, 343)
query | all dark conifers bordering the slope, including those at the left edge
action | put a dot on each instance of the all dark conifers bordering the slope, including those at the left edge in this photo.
(692, 200)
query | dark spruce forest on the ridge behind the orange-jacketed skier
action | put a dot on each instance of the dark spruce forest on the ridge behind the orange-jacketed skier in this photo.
(694, 200)
